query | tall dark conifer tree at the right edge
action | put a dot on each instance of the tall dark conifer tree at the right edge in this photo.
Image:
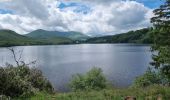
(161, 35)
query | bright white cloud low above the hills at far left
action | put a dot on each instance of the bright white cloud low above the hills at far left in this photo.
(18, 23)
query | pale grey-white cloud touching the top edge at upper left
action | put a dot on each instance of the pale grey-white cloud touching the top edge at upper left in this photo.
(31, 8)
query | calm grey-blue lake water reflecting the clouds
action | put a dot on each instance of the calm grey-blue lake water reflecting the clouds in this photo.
(121, 63)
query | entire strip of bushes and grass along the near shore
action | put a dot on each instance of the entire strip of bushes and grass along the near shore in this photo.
(23, 83)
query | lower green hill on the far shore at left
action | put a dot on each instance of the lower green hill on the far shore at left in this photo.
(11, 38)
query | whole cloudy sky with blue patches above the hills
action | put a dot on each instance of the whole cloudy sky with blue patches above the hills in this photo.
(91, 17)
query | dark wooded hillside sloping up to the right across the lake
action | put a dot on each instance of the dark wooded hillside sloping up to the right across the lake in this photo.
(138, 36)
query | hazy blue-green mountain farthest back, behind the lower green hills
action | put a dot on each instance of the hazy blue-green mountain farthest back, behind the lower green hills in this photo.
(43, 34)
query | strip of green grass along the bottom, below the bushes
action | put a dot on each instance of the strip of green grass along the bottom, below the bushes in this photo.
(148, 93)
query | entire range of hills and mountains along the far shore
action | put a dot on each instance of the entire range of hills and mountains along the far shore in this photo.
(42, 37)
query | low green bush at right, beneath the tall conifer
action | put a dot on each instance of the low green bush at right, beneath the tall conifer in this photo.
(149, 78)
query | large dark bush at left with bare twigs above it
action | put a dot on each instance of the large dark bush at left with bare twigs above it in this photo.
(22, 81)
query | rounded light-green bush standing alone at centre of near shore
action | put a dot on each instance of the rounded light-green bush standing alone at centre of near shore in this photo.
(92, 80)
